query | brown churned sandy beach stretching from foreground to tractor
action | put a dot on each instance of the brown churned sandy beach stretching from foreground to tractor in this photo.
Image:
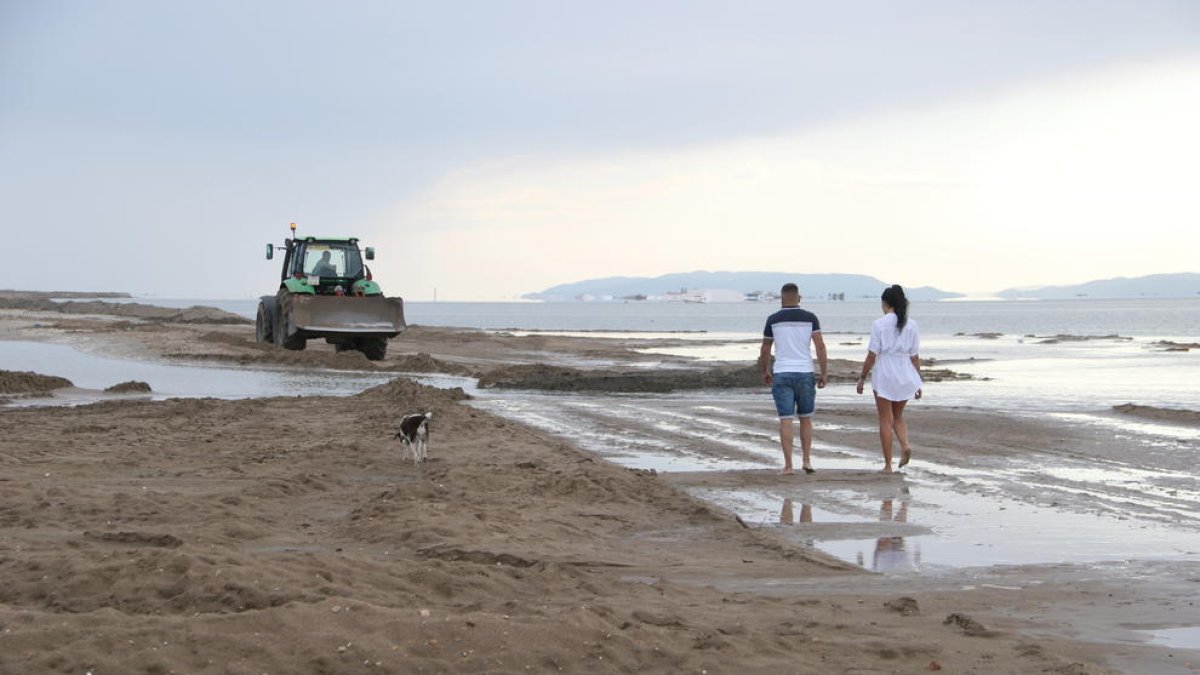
(287, 535)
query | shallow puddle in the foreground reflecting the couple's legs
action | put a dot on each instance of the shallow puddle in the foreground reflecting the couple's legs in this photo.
(920, 528)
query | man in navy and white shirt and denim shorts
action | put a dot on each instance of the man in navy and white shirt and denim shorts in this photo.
(793, 381)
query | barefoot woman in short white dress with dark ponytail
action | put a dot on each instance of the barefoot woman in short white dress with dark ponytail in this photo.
(895, 366)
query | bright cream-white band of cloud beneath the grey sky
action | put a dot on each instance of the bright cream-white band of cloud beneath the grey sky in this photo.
(1057, 182)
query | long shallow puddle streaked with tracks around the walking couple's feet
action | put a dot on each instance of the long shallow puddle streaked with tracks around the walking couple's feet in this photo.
(933, 519)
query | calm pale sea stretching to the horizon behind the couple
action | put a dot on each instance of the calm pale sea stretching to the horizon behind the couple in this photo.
(1003, 344)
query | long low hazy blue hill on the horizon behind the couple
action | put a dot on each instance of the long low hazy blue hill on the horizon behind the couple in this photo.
(813, 286)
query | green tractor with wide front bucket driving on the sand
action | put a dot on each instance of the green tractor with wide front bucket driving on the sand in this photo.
(326, 291)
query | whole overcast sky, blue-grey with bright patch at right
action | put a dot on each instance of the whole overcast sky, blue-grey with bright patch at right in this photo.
(489, 150)
